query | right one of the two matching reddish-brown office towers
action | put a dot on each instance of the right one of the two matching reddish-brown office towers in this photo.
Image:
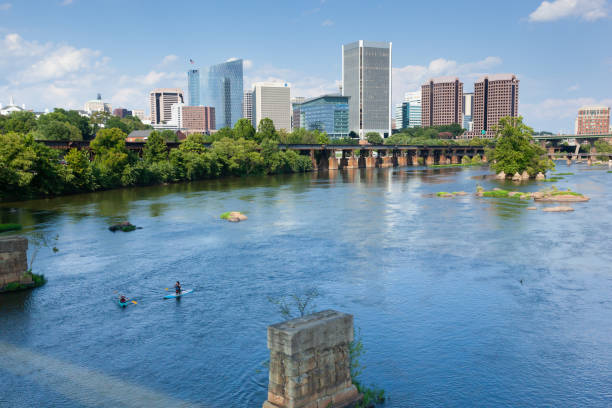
(495, 96)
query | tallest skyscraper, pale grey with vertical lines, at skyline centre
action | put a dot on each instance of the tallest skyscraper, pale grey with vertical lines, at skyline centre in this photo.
(366, 79)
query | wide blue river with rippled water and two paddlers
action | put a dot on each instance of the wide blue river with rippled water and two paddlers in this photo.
(434, 285)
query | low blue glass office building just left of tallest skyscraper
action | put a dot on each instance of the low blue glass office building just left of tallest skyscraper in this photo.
(326, 113)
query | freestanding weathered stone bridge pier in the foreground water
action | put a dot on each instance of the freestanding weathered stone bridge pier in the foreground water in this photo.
(310, 363)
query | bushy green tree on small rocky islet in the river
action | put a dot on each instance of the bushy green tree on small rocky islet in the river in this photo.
(515, 151)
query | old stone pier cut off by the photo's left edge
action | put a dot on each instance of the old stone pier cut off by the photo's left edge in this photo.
(13, 261)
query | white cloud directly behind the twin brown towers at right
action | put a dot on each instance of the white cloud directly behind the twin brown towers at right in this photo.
(411, 77)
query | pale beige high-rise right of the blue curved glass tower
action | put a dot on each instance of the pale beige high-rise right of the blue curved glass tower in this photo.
(272, 100)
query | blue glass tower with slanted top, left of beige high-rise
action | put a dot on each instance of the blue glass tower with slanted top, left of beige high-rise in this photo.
(225, 91)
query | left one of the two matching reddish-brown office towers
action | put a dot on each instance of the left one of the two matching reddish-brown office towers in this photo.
(441, 101)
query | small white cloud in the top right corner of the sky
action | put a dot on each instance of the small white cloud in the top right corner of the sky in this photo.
(588, 10)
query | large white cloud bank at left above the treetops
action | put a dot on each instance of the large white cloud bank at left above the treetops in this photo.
(59, 75)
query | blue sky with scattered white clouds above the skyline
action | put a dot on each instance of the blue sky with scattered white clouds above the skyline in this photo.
(61, 53)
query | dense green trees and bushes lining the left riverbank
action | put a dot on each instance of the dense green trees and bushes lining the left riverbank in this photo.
(31, 169)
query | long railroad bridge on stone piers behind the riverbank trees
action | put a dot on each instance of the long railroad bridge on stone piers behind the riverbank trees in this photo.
(324, 157)
